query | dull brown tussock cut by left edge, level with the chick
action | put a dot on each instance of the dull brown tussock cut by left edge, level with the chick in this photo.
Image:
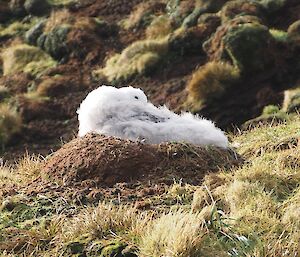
(10, 123)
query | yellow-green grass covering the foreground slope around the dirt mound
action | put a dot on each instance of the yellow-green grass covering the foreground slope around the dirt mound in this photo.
(252, 210)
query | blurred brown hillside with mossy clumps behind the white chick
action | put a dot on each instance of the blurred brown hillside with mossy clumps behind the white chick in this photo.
(225, 60)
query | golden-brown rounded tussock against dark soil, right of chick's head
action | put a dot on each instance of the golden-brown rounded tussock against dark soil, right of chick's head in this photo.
(210, 81)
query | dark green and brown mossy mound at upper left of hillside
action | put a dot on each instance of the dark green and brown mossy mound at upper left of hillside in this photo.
(62, 36)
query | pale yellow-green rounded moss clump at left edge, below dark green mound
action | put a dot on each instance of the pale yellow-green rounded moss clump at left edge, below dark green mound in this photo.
(25, 58)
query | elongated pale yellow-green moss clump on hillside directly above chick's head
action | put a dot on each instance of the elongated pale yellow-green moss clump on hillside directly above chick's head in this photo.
(138, 58)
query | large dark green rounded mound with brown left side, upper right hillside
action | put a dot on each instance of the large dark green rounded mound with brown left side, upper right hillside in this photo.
(234, 40)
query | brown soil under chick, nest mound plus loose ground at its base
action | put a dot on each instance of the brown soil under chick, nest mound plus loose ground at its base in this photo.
(100, 168)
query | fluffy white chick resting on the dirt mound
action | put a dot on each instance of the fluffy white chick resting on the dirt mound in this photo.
(126, 113)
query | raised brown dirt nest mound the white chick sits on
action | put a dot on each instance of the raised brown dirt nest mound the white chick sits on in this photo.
(109, 160)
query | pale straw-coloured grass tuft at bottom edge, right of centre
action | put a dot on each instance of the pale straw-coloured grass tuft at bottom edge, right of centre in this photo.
(173, 234)
